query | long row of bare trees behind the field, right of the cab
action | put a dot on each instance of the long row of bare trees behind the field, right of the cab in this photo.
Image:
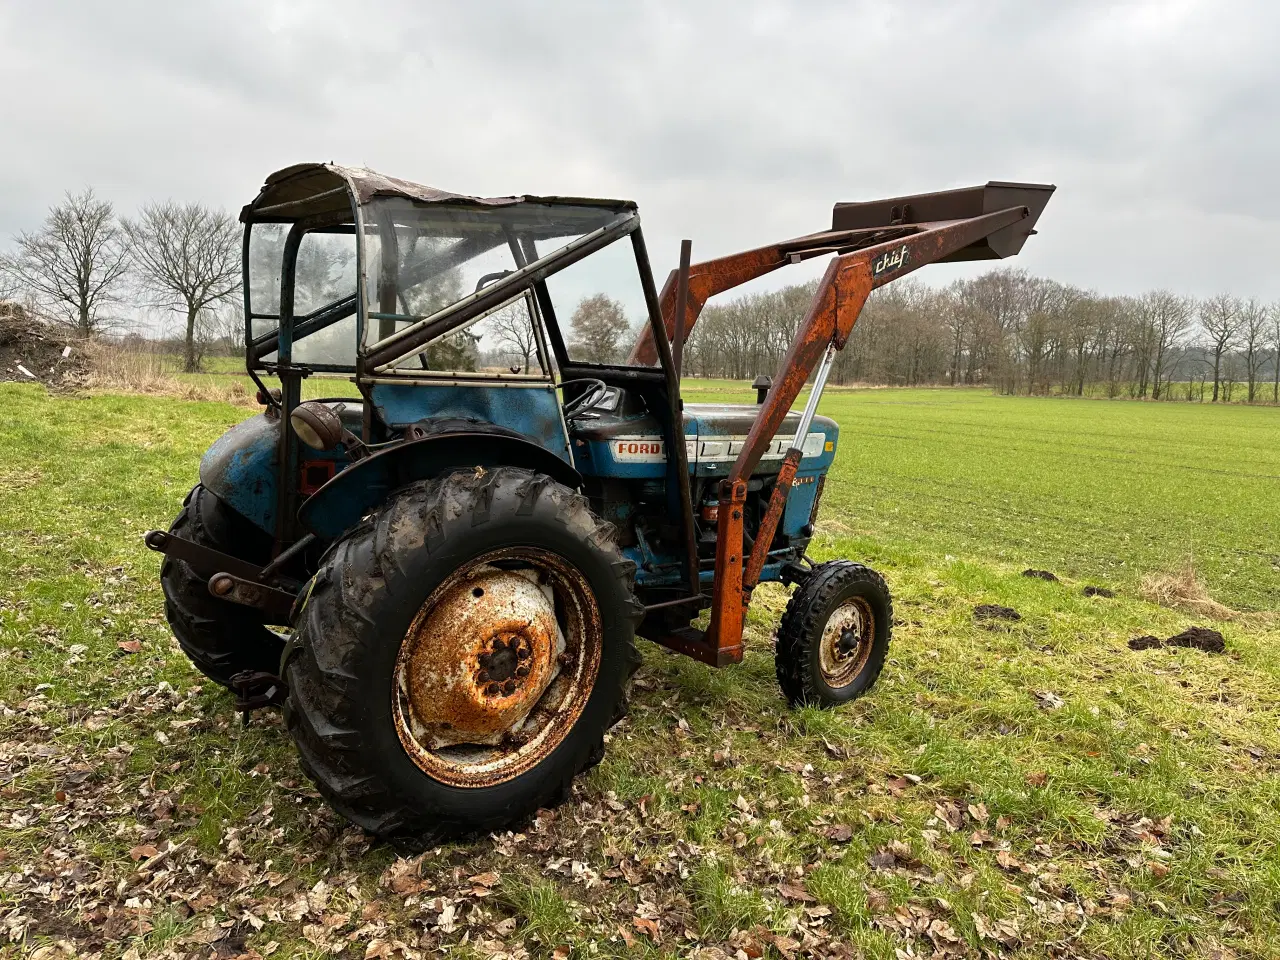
(1017, 333)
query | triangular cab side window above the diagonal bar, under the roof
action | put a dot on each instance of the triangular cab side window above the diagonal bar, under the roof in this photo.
(422, 259)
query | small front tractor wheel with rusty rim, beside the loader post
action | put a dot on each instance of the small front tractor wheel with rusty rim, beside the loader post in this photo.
(834, 638)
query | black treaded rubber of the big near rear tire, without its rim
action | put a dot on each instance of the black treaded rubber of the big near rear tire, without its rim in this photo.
(373, 586)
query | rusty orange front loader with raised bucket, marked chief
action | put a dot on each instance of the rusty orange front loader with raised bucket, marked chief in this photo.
(875, 244)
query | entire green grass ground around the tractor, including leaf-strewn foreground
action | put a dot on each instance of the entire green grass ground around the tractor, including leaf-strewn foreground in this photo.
(1034, 790)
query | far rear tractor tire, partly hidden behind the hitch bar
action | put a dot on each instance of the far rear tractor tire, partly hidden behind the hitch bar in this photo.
(220, 638)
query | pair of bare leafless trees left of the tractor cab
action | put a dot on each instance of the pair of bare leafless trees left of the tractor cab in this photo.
(85, 260)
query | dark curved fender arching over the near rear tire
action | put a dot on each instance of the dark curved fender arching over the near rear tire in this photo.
(340, 505)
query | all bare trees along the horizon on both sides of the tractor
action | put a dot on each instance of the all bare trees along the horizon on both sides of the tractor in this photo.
(1007, 328)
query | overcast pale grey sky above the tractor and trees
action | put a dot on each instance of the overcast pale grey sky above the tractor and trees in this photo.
(734, 124)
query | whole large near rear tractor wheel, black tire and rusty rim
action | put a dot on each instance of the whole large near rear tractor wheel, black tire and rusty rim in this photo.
(461, 655)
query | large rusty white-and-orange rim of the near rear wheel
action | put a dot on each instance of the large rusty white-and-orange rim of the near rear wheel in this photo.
(497, 668)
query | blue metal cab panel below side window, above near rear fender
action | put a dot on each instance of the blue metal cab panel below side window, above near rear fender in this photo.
(534, 412)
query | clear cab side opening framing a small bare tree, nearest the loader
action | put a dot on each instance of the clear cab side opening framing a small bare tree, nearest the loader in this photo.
(600, 305)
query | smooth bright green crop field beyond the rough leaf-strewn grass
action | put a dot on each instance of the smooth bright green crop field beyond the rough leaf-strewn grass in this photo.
(1104, 490)
